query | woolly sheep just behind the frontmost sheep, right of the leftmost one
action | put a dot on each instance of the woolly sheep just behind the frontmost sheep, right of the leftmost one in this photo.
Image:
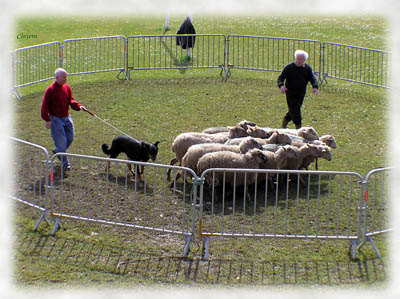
(195, 152)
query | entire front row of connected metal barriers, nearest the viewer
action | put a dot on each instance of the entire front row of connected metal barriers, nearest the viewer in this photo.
(266, 203)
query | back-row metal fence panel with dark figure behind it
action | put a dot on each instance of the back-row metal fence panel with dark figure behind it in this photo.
(152, 52)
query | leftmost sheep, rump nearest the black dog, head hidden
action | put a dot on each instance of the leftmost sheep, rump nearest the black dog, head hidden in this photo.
(183, 141)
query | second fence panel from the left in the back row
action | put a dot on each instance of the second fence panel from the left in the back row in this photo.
(94, 55)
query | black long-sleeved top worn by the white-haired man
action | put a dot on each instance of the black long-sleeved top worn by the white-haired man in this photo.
(296, 78)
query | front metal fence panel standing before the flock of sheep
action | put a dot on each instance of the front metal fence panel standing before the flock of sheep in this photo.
(282, 204)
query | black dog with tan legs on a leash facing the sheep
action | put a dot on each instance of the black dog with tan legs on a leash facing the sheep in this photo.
(135, 150)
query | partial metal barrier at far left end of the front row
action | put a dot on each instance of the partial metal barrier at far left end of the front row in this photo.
(31, 178)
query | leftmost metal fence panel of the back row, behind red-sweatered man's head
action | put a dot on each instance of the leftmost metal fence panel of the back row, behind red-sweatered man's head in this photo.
(35, 64)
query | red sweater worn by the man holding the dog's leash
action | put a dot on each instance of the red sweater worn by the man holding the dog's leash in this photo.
(56, 101)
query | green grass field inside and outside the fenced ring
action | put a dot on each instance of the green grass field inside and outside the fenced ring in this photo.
(159, 105)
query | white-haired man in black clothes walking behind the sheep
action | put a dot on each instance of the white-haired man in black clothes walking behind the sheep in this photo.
(293, 82)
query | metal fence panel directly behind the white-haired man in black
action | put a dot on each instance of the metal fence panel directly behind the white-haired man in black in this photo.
(269, 53)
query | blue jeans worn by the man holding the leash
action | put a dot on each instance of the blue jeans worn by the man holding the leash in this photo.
(62, 132)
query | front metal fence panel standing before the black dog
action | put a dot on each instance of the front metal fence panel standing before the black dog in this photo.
(93, 191)
